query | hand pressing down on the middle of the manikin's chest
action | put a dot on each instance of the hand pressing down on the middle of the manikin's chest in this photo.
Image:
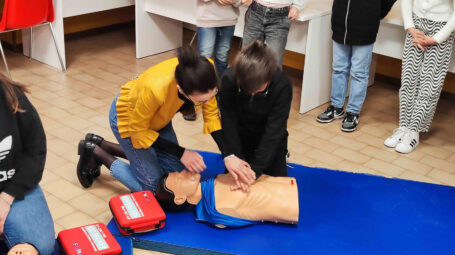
(240, 171)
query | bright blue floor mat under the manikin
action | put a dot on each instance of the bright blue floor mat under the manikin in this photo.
(340, 213)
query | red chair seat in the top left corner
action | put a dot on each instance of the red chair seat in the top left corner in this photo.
(19, 14)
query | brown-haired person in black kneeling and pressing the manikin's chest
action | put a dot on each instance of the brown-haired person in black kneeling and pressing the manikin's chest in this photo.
(255, 100)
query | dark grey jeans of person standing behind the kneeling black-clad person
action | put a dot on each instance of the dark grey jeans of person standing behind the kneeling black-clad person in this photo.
(268, 25)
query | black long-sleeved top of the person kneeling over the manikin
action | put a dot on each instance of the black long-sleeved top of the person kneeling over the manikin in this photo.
(258, 122)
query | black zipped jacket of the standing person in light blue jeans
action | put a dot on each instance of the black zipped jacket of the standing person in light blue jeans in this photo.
(356, 22)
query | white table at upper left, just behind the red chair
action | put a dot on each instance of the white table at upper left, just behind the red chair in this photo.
(43, 48)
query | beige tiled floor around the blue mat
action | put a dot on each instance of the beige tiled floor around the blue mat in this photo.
(76, 102)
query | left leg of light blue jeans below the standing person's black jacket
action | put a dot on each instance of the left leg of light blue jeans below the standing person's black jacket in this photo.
(340, 76)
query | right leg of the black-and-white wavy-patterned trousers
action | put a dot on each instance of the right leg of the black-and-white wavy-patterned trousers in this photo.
(434, 68)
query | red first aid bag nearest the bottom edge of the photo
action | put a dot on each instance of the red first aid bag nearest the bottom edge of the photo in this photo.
(94, 239)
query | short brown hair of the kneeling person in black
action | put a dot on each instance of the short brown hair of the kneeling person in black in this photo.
(255, 65)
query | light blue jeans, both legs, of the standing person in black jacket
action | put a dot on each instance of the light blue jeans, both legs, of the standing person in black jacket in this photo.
(355, 61)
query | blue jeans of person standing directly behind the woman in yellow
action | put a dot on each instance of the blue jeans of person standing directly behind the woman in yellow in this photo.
(216, 40)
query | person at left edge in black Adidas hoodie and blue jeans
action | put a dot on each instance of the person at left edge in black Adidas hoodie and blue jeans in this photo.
(26, 224)
